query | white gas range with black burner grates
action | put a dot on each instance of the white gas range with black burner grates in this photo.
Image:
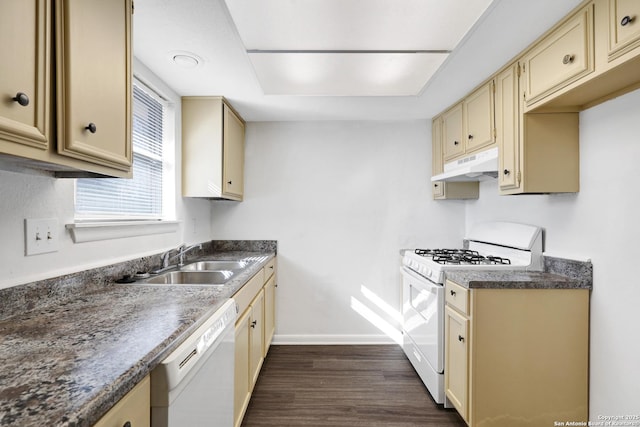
(491, 246)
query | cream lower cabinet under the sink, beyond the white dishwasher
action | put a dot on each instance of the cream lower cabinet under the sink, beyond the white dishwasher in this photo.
(254, 331)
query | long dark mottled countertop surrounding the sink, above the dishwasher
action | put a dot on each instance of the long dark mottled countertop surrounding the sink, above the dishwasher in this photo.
(67, 362)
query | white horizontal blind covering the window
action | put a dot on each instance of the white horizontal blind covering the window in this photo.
(141, 196)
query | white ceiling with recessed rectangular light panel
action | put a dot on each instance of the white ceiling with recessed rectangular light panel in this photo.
(264, 87)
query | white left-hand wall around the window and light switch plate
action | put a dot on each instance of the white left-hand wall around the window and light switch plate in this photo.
(32, 196)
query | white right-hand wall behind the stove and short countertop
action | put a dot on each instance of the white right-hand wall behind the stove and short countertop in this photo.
(596, 223)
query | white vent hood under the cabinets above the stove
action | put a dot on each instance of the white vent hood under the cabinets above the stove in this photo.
(471, 168)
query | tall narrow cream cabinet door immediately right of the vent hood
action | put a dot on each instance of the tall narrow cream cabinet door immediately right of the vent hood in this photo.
(507, 127)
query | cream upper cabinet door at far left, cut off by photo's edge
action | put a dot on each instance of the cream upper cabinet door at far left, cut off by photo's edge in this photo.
(24, 71)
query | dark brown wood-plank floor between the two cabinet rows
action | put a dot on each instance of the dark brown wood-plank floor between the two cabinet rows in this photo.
(343, 386)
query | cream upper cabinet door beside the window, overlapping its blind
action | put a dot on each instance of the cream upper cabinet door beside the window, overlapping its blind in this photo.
(93, 58)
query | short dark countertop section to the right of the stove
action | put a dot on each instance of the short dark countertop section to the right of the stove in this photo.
(514, 279)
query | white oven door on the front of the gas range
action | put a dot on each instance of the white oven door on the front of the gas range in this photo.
(423, 312)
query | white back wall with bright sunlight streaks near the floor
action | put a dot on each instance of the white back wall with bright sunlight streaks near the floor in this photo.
(341, 198)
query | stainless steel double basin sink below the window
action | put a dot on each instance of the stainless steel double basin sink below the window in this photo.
(212, 273)
